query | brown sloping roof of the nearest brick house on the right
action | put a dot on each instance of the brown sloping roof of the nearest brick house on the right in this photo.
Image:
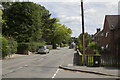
(113, 21)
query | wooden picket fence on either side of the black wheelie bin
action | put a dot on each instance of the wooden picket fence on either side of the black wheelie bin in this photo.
(103, 61)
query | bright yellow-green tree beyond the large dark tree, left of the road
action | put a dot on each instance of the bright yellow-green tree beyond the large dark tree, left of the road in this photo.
(61, 33)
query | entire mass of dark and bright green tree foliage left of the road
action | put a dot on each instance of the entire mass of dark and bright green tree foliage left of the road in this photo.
(28, 21)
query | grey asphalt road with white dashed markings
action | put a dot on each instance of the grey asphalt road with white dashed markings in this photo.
(43, 66)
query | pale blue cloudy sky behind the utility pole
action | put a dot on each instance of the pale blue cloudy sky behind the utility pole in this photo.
(69, 13)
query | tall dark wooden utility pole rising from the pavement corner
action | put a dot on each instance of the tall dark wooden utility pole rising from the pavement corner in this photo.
(82, 12)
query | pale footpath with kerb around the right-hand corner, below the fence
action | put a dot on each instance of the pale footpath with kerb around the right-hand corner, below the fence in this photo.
(70, 64)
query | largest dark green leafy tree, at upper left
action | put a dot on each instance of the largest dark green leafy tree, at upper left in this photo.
(24, 21)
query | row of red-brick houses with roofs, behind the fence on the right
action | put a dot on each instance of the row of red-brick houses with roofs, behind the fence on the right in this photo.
(109, 37)
